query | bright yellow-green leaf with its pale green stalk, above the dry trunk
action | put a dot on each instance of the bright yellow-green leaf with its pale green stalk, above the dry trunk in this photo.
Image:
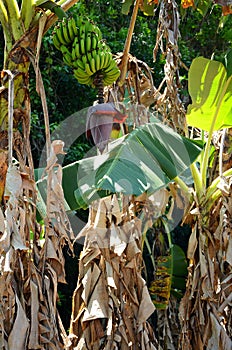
(210, 87)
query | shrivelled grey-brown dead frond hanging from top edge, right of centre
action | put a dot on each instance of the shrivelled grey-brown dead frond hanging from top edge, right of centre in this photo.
(169, 104)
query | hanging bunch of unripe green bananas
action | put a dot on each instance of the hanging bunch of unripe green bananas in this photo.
(83, 49)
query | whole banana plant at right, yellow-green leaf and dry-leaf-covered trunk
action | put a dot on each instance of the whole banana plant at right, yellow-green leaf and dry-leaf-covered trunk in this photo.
(210, 87)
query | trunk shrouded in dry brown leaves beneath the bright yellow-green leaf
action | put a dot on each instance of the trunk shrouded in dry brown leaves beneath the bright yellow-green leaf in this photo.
(205, 311)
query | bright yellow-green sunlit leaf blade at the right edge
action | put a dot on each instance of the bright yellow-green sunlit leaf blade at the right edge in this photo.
(211, 95)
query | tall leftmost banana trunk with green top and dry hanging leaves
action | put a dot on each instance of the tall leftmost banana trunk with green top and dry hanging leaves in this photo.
(32, 261)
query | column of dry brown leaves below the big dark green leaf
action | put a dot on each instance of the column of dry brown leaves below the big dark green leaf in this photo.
(111, 303)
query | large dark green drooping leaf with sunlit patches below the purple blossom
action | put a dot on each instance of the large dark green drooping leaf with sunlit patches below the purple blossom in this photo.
(144, 161)
